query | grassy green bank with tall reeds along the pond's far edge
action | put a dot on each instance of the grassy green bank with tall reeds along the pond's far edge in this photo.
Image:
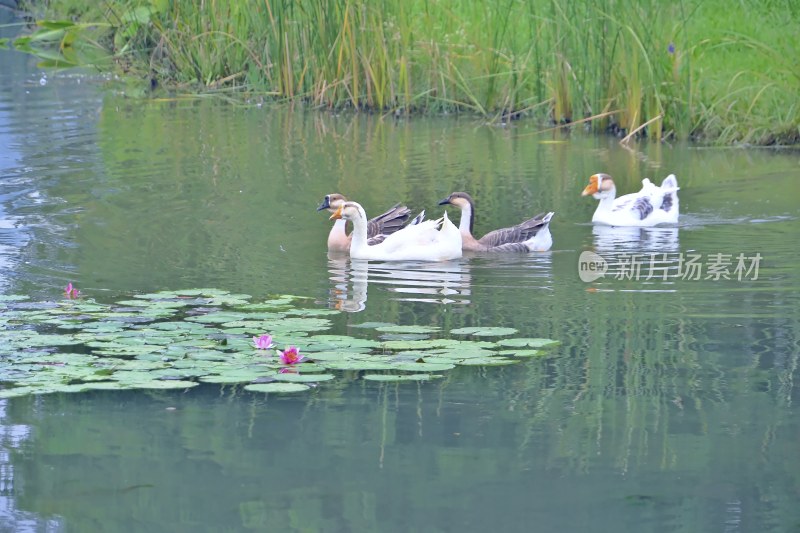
(710, 70)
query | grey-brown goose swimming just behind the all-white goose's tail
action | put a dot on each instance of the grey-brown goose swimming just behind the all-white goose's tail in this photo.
(532, 235)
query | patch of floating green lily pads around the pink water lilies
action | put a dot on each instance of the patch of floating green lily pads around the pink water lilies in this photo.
(176, 339)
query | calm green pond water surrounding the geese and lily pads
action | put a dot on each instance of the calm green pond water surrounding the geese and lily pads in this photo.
(669, 406)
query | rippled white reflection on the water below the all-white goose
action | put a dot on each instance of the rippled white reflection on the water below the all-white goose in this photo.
(446, 282)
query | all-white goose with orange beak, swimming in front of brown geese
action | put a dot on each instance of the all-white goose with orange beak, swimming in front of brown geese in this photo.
(430, 240)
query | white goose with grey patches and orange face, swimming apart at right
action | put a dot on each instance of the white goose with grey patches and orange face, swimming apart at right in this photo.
(650, 206)
